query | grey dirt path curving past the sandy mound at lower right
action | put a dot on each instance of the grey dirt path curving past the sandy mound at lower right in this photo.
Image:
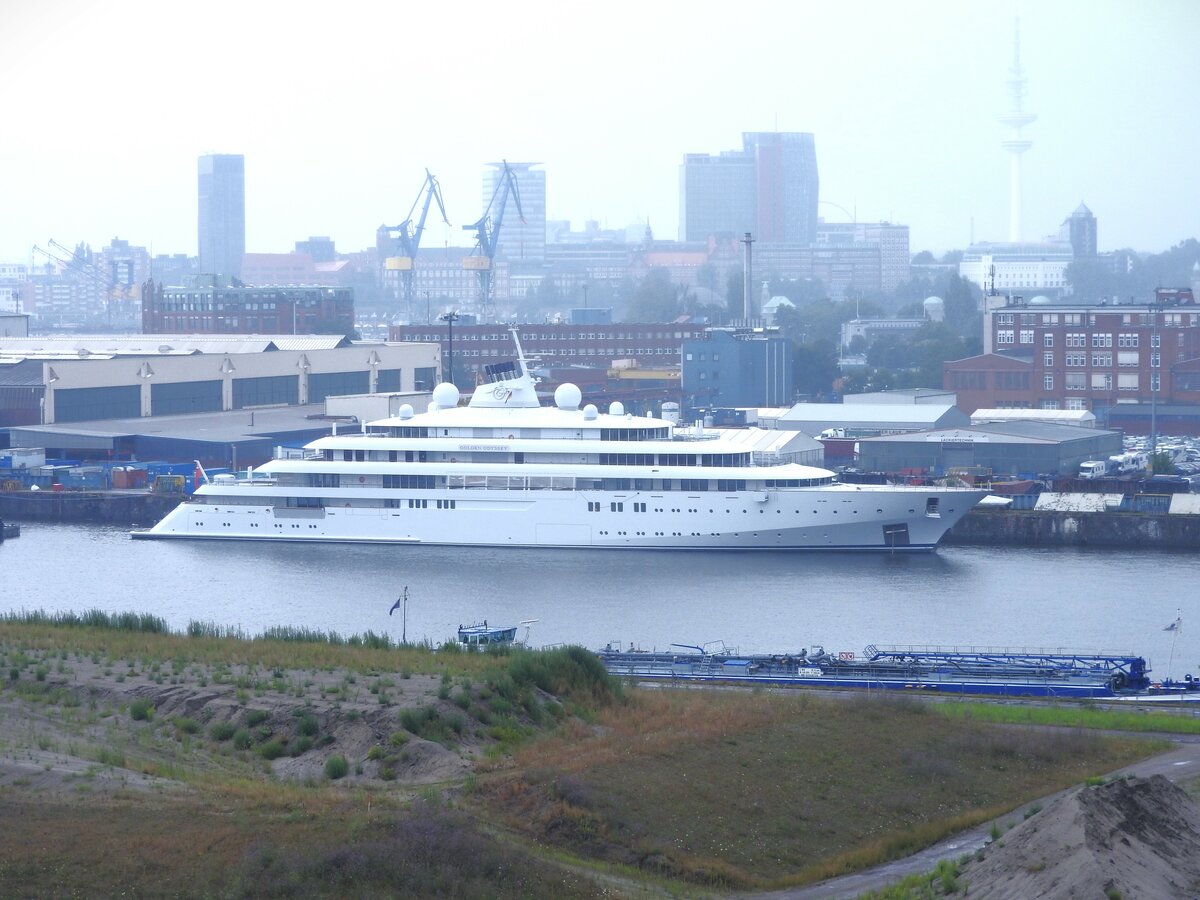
(1180, 764)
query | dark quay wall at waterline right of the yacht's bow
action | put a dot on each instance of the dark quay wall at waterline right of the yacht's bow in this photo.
(1047, 529)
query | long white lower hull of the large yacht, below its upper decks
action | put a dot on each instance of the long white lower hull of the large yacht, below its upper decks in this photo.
(838, 518)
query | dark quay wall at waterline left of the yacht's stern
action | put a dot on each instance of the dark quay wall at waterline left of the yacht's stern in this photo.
(119, 508)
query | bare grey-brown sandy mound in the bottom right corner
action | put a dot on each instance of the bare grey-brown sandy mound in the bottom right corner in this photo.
(1132, 838)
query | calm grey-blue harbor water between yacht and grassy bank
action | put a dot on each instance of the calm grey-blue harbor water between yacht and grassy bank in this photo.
(1076, 599)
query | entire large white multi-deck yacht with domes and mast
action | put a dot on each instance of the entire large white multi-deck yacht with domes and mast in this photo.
(505, 471)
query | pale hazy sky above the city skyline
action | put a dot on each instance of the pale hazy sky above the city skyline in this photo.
(339, 109)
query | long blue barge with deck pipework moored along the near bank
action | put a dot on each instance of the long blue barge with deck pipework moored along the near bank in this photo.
(980, 671)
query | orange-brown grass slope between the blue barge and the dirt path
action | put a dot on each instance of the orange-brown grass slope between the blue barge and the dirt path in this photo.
(766, 790)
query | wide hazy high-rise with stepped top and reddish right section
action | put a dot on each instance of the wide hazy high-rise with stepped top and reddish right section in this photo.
(769, 188)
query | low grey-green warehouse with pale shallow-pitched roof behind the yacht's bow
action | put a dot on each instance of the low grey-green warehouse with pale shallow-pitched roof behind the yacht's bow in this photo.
(1017, 448)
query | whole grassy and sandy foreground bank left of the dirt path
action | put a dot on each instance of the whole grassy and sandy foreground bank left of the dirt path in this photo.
(152, 764)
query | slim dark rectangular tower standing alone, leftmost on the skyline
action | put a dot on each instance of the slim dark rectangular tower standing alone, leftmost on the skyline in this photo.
(223, 213)
